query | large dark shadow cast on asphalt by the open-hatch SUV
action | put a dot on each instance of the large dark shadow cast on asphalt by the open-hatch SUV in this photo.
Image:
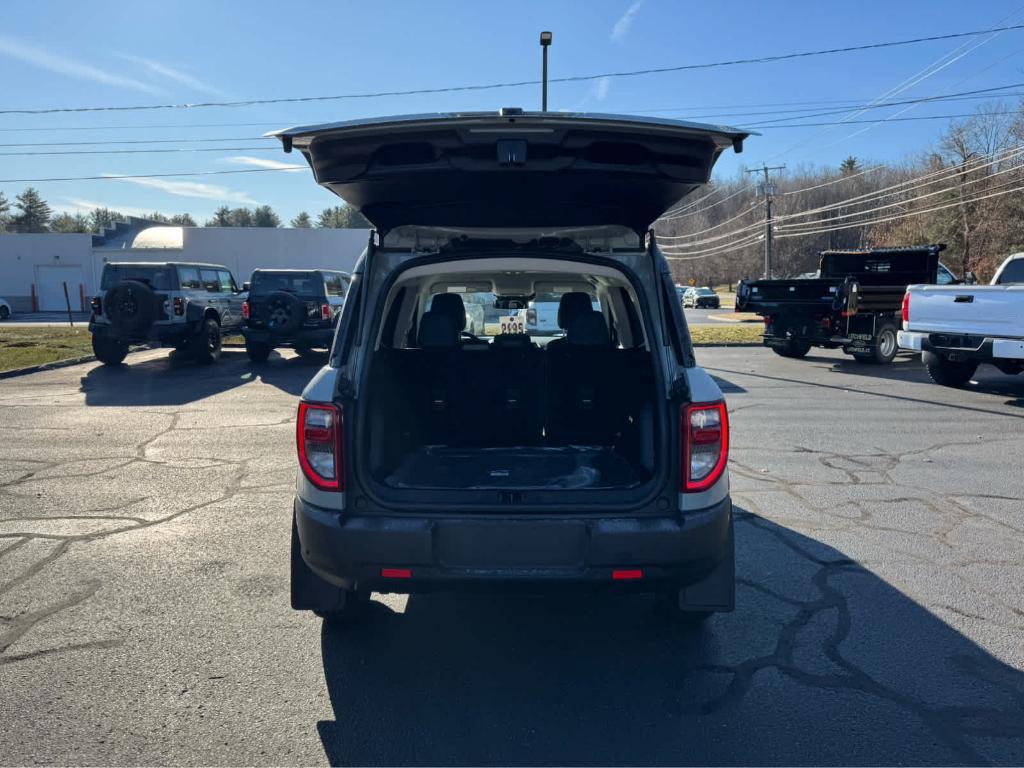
(823, 663)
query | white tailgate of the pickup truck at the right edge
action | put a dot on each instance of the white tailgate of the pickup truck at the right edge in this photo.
(977, 311)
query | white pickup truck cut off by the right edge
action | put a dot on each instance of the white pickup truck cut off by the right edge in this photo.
(957, 328)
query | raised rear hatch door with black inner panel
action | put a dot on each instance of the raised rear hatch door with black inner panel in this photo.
(520, 170)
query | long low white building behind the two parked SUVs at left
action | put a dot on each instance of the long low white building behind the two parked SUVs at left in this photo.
(34, 269)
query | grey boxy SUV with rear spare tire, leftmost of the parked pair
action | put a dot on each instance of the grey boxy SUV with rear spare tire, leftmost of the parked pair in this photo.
(182, 305)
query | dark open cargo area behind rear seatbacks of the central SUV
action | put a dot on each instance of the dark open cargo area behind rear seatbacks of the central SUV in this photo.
(508, 414)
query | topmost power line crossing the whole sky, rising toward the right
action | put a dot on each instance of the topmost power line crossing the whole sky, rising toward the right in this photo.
(517, 84)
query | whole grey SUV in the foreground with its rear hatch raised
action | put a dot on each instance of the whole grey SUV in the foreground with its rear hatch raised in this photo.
(434, 461)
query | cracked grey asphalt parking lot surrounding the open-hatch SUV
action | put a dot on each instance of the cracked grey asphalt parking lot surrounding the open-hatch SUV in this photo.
(144, 590)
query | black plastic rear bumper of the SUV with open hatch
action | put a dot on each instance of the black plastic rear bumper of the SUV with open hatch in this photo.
(462, 552)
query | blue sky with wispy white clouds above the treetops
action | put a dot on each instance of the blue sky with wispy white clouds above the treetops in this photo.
(119, 54)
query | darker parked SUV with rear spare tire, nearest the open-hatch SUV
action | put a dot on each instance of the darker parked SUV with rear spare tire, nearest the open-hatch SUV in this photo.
(295, 309)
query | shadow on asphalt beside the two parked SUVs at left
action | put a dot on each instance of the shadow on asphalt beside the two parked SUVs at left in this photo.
(177, 379)
